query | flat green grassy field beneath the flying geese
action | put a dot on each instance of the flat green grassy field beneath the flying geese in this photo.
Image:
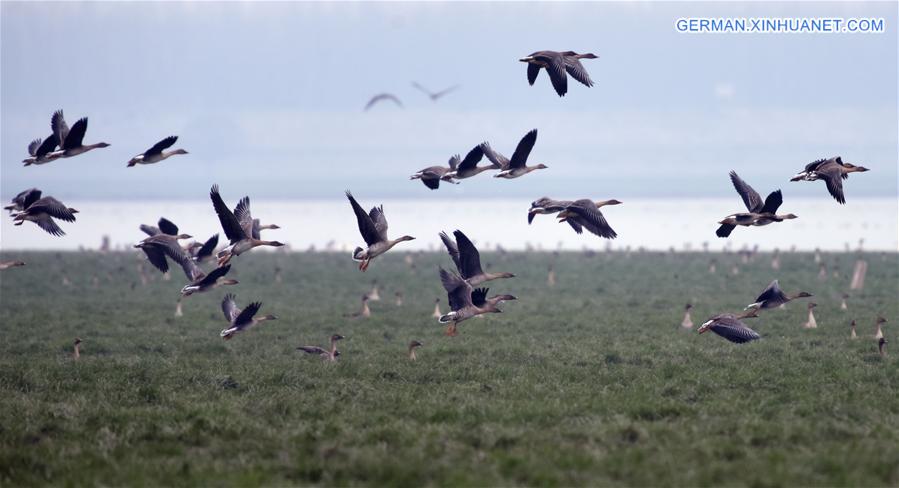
(588, 382)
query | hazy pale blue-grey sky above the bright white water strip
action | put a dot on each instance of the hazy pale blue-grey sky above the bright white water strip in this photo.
(268, 97)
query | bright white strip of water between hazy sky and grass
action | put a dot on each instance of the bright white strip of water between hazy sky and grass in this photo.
(655, 224)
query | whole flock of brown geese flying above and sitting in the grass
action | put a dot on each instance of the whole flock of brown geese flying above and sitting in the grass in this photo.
(466, 297)
